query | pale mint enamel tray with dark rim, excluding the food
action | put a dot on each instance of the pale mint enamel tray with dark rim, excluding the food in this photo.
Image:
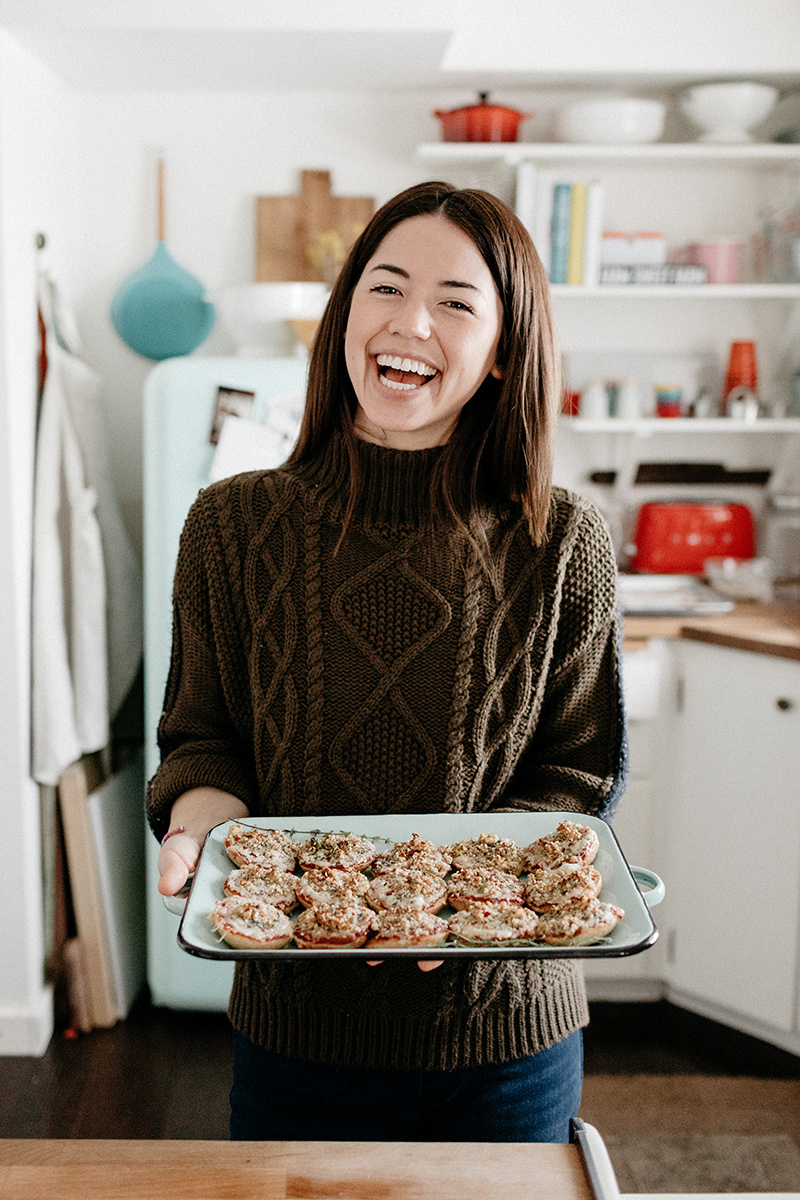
(633, 934)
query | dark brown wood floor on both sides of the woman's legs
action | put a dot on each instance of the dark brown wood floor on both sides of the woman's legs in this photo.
(167, 1075)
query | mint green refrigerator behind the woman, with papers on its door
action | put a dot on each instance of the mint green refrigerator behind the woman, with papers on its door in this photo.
(254, 407)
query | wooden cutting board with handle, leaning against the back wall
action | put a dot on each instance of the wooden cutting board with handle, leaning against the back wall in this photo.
(286, 226)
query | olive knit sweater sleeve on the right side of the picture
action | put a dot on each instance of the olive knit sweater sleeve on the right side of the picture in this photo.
(576, 758)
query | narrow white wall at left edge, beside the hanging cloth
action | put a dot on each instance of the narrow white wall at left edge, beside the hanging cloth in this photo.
(32, 165)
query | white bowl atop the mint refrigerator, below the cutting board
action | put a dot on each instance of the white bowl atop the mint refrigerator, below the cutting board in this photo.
(256, 315)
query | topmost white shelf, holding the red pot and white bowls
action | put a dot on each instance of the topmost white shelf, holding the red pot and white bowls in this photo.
(514, 153)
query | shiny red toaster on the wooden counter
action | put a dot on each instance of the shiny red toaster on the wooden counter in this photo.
(675, 538)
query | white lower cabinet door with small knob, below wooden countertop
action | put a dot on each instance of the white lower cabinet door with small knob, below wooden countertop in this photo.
(733, 878)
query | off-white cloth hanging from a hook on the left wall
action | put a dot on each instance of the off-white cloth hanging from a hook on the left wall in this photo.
(69, 625)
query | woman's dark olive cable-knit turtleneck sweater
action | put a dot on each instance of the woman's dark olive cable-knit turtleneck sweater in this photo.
(393, 677)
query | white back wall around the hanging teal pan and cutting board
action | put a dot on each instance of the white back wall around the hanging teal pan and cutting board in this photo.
(221, 152)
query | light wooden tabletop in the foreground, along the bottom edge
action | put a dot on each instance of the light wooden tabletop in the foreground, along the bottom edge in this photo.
(106, 1169)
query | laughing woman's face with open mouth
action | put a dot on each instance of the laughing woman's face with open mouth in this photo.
(423, 334)
